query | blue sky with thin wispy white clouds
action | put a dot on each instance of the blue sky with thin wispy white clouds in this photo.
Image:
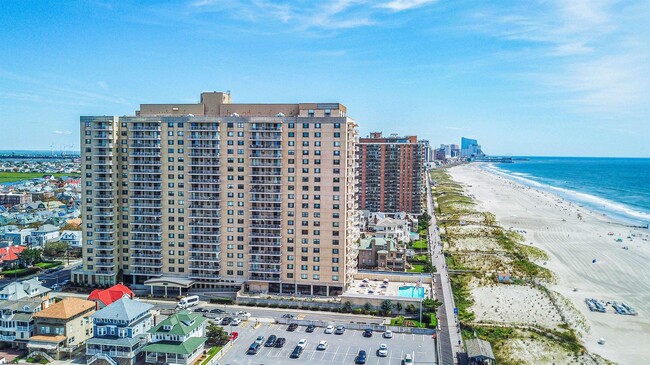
(546, 77)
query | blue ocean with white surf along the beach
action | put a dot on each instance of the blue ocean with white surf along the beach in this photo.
(617, 187)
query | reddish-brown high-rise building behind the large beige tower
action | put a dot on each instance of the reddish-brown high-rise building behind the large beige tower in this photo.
(391, 174)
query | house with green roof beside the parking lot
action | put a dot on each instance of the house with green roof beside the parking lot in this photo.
(179, 339)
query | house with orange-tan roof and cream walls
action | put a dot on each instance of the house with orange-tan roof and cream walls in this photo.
(62, 327)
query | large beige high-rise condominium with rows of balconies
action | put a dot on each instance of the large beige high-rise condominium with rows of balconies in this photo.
(215, 195)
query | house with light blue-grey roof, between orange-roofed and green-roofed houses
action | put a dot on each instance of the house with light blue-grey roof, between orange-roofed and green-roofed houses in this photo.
(120, 332)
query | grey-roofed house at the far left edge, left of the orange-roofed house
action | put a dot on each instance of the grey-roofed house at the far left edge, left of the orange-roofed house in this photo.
(17, 322)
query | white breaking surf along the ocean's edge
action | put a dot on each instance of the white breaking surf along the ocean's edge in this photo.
(609, 207)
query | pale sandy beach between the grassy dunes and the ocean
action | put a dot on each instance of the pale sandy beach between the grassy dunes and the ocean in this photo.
(573, 237)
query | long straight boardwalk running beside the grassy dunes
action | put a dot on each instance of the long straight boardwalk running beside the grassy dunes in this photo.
(449, 335)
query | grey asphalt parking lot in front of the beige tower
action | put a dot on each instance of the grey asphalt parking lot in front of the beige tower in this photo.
(342, 349)
